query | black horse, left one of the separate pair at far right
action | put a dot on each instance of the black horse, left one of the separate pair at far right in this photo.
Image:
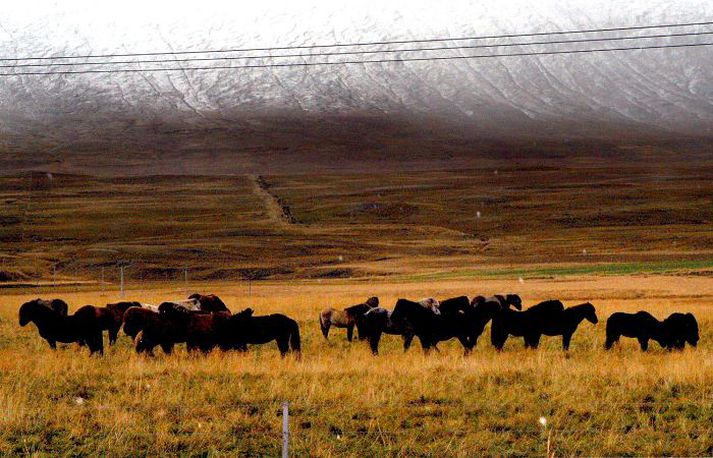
(640, 325)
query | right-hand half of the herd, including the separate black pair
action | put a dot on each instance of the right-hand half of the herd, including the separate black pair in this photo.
(434, 321)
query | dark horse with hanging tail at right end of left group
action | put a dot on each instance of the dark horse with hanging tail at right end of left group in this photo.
(244, 328)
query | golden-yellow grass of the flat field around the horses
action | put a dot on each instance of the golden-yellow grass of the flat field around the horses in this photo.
(345, 402)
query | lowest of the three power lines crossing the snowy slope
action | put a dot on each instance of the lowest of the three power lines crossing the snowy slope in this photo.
(374, 61)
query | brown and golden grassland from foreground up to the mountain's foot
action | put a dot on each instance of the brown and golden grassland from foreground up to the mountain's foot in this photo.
(627, 229)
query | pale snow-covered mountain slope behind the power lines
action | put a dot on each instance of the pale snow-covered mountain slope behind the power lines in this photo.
(632, 94)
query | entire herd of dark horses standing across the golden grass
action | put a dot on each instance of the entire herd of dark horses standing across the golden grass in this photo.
(204, 323)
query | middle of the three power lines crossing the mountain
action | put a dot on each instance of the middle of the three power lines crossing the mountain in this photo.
(380, 51)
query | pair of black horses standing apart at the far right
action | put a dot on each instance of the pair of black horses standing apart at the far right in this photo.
(672, 333)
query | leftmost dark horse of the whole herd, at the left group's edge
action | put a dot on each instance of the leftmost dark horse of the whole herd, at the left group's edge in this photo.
(80, 327)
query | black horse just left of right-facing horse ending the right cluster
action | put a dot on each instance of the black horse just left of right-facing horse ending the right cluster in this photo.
(527, 324)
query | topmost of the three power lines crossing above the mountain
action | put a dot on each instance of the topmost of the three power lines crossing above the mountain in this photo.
(370, 43)
